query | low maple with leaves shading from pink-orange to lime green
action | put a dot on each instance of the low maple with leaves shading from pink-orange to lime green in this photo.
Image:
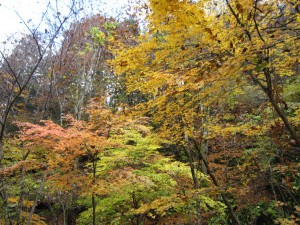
(113, 153)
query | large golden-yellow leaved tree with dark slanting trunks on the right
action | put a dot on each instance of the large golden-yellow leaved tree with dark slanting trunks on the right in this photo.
(197, 55)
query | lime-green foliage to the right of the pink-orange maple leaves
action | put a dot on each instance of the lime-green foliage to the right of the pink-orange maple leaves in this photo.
(142, 182)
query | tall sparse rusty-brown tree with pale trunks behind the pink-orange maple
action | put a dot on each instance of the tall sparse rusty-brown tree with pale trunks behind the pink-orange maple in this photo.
(78, 69)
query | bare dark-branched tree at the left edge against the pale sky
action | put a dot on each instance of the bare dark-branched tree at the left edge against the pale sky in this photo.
(19, 68)
